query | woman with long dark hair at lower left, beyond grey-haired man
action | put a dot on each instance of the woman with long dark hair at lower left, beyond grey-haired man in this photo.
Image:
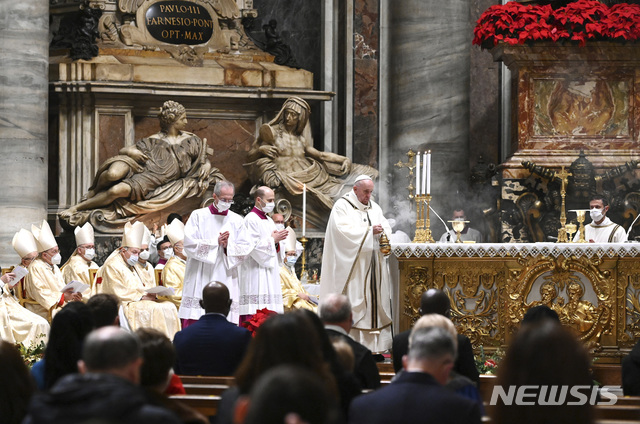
(69, 327)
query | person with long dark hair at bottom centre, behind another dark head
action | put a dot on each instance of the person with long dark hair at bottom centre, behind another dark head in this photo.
(287, 339)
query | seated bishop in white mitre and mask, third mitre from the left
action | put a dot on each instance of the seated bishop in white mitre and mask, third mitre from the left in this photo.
(78, 265)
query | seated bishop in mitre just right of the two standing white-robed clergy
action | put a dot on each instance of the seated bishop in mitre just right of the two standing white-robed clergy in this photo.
(294, 296)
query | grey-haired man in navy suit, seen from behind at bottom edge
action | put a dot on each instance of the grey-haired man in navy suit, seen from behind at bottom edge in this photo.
(417, 394)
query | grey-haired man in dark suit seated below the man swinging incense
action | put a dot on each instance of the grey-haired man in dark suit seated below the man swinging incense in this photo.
(335, 313)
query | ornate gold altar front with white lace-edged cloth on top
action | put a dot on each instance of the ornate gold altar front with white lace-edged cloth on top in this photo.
(594, 288)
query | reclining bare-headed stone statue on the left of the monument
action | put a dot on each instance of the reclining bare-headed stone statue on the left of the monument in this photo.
(157, 172)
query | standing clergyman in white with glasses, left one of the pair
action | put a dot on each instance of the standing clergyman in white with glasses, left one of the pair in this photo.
(209, 235)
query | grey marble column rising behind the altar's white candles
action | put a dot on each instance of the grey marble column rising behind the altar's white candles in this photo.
(425, 54)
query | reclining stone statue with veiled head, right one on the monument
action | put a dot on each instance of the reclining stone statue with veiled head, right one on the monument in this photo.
(283, 158)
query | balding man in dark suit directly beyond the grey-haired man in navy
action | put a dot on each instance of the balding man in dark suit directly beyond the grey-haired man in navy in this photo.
(435, 301)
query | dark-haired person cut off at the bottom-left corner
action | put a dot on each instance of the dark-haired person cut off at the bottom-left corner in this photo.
(17, 385)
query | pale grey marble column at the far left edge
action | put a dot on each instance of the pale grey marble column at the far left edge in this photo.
(24, 53)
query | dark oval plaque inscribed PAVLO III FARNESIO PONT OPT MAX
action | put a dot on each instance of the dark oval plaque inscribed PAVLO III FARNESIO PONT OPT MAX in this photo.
(179, 22)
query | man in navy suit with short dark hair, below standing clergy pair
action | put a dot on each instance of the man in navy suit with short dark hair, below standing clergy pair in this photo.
(212, 345)
